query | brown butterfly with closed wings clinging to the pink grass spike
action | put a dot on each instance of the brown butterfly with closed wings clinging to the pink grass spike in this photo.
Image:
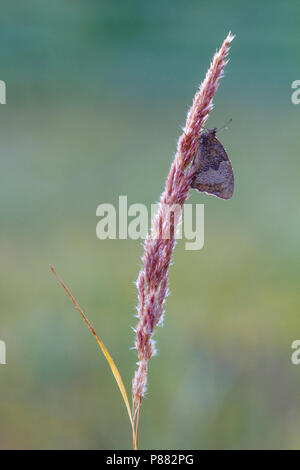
(213, 170)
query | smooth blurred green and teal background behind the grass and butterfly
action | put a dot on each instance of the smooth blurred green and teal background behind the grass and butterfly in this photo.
(97, 93)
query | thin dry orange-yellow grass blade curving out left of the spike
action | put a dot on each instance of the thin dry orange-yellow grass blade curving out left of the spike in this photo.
(108, 357)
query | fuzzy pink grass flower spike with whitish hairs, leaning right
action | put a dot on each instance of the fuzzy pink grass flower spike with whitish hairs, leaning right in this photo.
(152, 282)
